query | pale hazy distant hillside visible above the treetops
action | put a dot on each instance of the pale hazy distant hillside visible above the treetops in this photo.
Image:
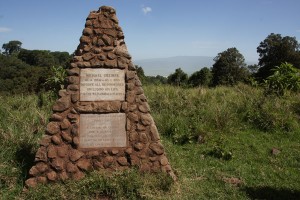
(166, 66)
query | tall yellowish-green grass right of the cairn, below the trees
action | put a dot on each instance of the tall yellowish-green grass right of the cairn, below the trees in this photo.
(185, 114)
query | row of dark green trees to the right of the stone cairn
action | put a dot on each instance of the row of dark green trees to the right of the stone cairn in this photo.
(230, 67)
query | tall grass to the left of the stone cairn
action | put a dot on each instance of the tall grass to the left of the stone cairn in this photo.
(22, 122)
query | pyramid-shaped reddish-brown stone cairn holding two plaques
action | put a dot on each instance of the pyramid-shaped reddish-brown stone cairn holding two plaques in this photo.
(102, 120)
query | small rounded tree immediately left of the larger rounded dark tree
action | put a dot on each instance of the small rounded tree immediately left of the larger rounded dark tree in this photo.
(200, 78)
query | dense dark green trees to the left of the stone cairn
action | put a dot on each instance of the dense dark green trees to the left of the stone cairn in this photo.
(27, 71)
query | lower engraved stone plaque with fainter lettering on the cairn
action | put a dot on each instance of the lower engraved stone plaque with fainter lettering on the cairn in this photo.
(102, 130)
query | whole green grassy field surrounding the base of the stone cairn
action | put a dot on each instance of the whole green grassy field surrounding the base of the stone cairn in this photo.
(219, 142)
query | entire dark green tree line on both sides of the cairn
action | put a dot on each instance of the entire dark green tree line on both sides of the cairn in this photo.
(27, 71)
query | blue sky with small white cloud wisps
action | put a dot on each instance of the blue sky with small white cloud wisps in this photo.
(154, 28)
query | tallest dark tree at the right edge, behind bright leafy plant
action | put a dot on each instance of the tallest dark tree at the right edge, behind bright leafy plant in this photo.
(275, 50)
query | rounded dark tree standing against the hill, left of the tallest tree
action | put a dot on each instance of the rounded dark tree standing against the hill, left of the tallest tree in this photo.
(229, 68)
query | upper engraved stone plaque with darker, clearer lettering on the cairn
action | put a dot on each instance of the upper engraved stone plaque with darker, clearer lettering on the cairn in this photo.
(102, 85)
